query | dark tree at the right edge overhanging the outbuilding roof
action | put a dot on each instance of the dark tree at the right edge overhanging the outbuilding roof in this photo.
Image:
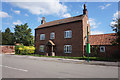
(116, 28)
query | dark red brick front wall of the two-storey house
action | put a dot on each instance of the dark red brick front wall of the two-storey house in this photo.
(76, 41)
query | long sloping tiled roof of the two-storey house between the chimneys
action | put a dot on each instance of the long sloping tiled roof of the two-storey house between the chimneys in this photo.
(61, 21)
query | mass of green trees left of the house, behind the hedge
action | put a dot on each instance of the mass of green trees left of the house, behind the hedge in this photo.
(21, 35)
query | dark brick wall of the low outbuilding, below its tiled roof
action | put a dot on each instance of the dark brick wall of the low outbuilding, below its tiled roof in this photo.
(109, 51)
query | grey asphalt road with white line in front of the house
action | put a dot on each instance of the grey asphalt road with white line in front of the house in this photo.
(25, 67)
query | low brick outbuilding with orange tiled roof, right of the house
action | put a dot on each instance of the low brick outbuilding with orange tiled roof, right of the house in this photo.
(103, 45)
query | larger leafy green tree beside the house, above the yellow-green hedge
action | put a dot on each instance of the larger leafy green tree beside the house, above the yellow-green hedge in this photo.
(23, 35)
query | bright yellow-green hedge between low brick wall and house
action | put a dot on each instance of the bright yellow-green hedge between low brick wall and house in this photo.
(21, 49)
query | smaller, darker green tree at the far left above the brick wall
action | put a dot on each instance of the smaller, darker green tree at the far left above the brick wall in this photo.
(7, 37)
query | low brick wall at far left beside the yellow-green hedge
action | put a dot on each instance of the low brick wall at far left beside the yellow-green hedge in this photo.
(7, 49)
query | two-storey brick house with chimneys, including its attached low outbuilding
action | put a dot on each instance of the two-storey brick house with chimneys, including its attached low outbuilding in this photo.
(67, 37)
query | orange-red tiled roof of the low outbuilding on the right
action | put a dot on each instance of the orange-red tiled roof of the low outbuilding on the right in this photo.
(102, 39)
